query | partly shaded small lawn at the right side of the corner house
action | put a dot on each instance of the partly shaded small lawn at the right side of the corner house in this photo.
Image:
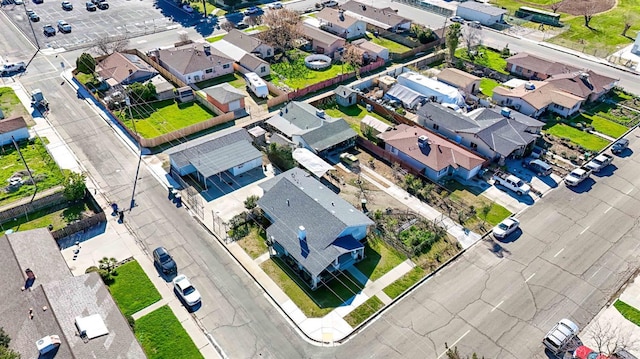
(379, 259)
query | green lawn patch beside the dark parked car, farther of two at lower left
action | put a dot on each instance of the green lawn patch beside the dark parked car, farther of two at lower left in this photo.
(131, 288)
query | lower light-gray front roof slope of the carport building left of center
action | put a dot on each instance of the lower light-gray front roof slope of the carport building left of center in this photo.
(224, 158)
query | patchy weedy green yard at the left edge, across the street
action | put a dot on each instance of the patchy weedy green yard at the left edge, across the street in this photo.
(43, 168)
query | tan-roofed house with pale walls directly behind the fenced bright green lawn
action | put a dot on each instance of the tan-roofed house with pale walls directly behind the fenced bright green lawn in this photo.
(194, 62)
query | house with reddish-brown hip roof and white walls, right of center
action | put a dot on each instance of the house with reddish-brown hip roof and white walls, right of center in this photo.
(431, 154)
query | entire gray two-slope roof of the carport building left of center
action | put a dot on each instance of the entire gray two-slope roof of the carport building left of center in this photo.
(217, 152)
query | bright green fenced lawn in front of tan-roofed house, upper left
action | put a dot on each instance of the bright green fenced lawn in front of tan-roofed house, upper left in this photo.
(158, 118)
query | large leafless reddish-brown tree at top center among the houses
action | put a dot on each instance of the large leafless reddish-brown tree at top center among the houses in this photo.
(284, 28)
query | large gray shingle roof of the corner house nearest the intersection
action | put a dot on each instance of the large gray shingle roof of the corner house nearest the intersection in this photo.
(293, 199)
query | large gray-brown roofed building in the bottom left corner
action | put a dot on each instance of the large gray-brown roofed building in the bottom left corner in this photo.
(47, 311)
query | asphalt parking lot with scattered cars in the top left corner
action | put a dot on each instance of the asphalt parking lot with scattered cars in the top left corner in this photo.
(122, 18)
